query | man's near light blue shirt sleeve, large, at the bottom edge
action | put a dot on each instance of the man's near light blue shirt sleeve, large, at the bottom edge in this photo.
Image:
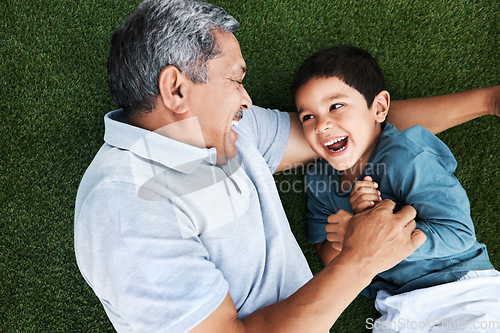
(149, 276)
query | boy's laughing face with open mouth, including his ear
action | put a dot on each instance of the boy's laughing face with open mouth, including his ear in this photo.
(337, 122)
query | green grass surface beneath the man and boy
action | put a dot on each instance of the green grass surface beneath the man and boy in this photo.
(53, 96)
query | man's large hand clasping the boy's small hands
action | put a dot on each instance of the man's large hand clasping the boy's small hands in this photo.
(380, 239)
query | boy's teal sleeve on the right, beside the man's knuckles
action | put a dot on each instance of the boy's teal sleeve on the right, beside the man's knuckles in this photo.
(443, 211)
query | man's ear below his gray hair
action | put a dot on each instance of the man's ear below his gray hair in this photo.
(172, 83)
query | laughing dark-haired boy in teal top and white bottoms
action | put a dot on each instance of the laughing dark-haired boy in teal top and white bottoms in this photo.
(342, 103)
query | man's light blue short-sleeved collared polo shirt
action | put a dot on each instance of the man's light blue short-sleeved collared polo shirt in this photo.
(162, 234)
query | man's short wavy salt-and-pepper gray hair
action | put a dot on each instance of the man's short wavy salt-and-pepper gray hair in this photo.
(157, 34)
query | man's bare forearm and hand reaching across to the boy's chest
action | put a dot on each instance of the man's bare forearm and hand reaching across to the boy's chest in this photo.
(375, 241)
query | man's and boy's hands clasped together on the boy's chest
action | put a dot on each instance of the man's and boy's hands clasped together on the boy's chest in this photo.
(374, 231)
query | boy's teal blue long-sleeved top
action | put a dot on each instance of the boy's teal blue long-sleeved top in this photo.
(412, 167)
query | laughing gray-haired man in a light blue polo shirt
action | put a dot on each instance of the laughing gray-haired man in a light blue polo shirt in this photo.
(178, 223)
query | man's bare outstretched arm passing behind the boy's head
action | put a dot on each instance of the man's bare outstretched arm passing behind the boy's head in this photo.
(436, 113)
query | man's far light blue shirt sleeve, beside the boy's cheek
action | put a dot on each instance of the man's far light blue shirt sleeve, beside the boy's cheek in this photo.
(269, 130)
